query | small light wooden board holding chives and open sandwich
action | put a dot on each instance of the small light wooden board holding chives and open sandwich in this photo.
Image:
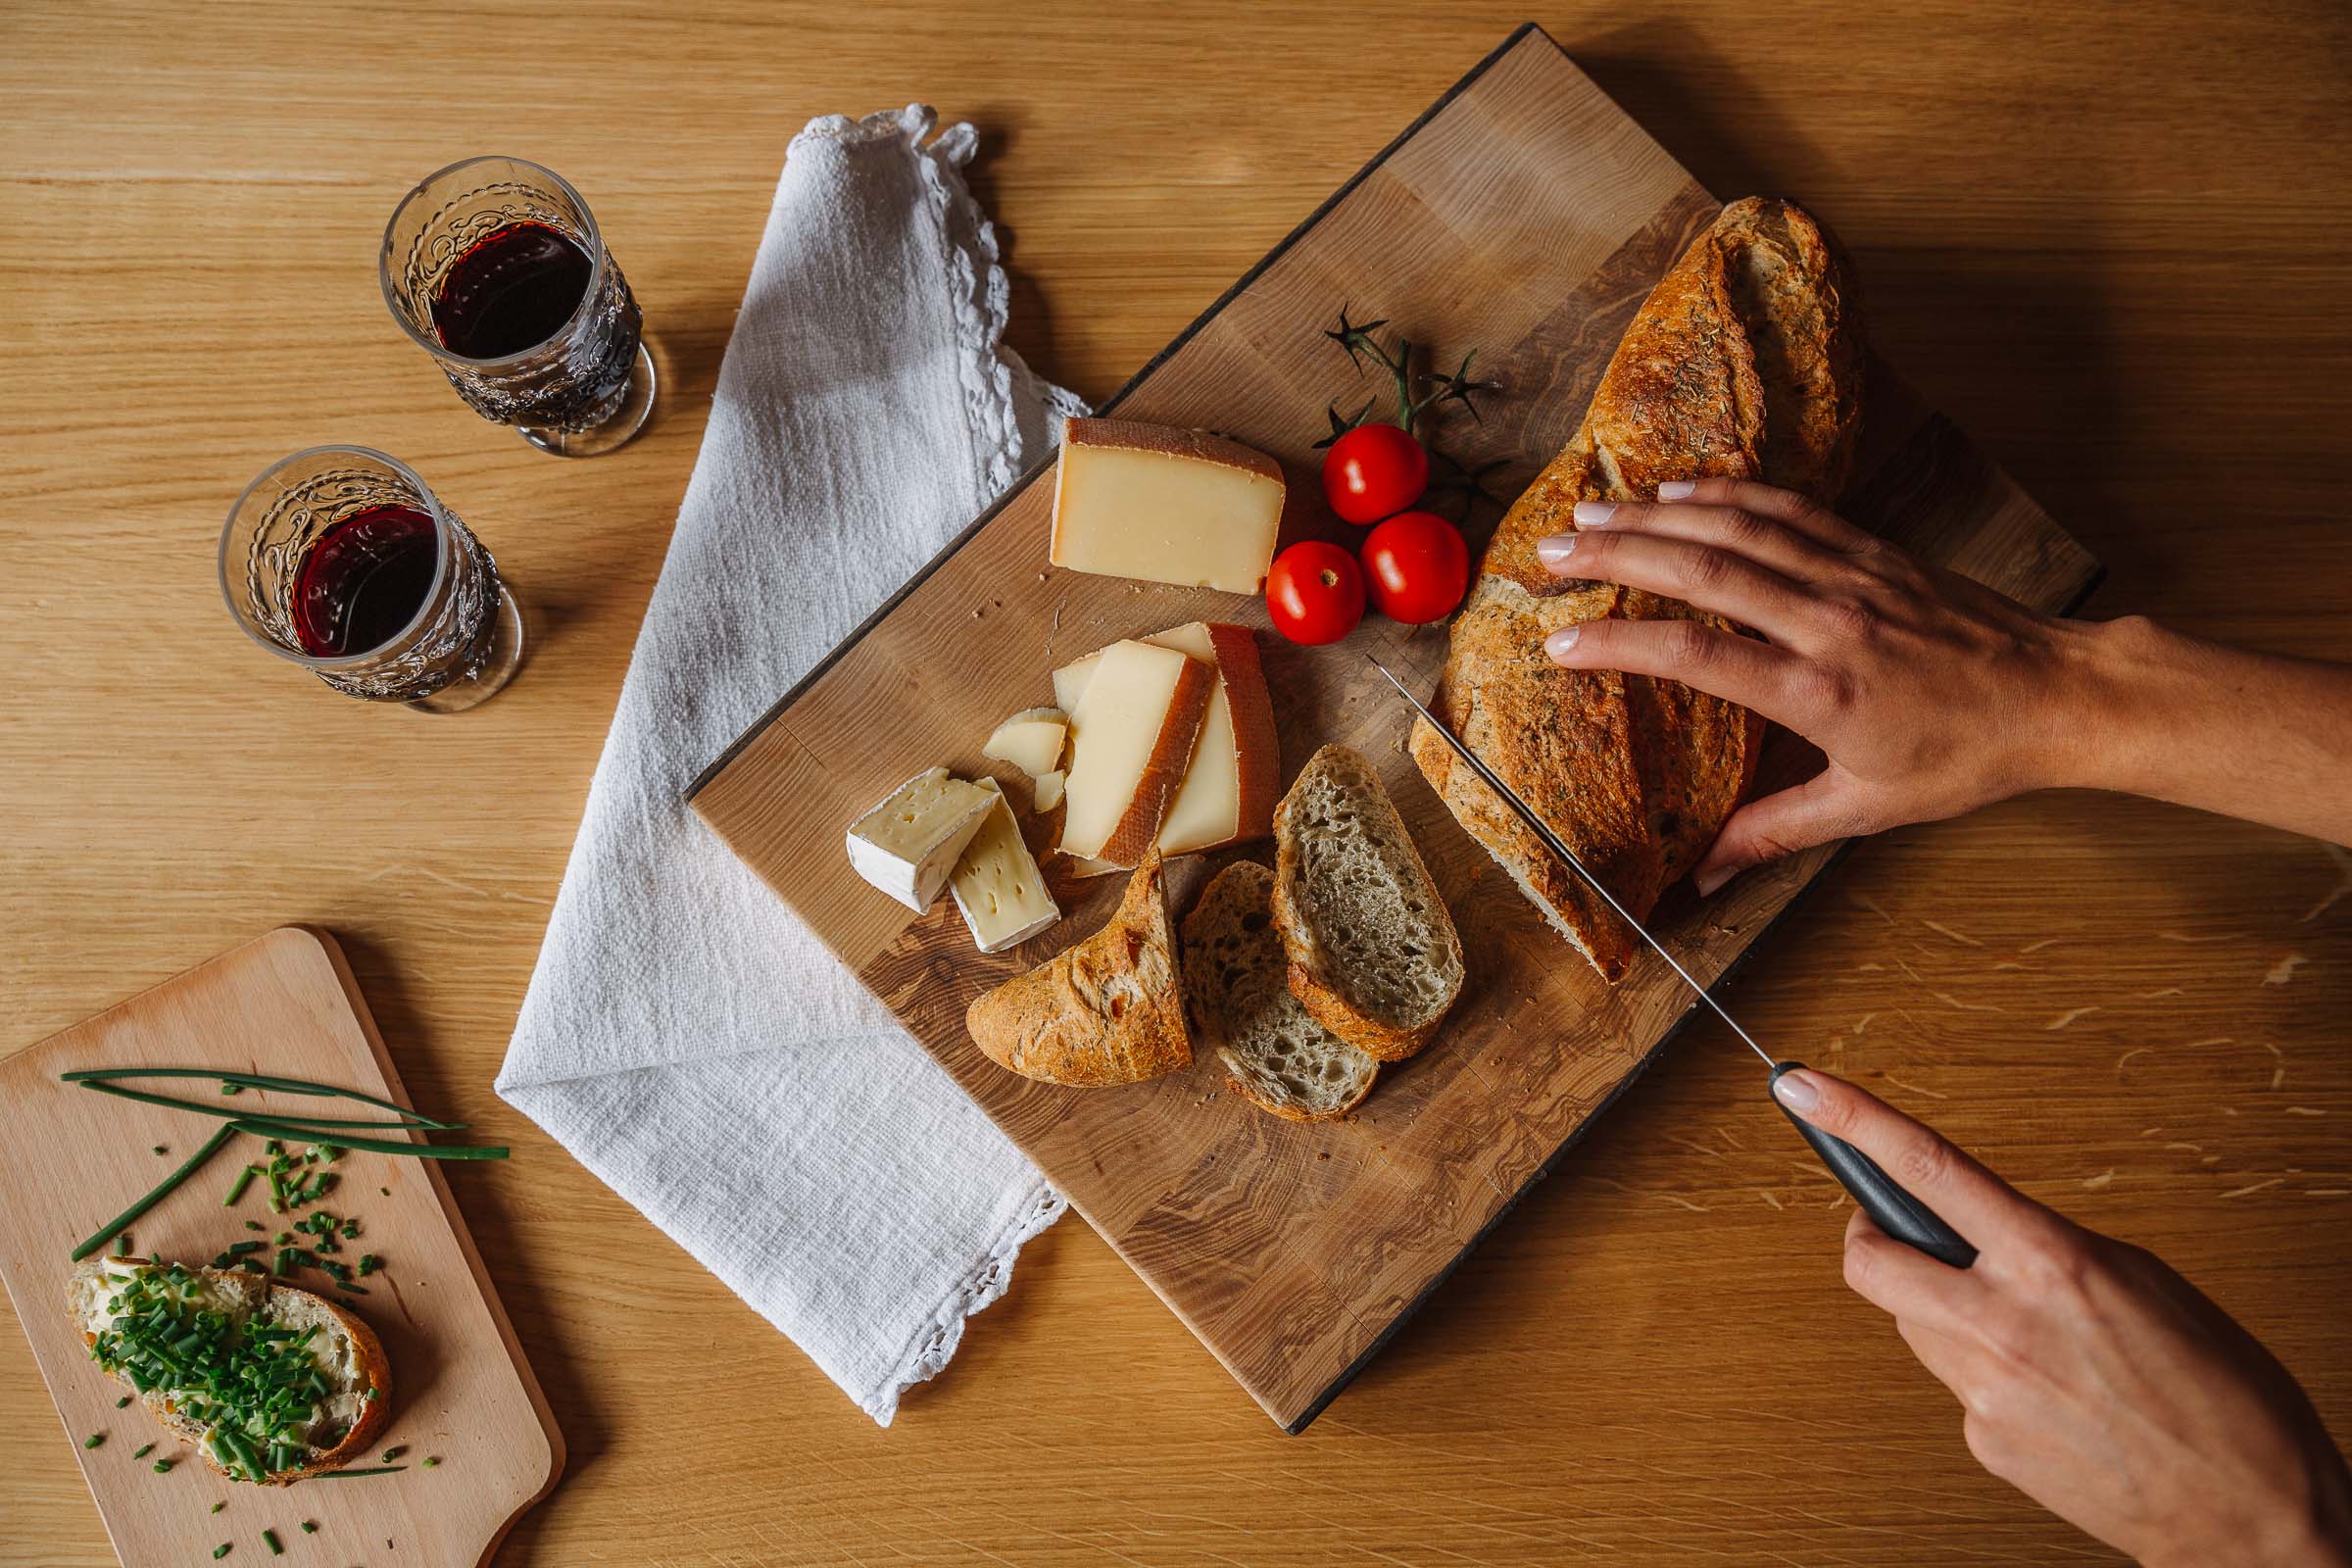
(462, 1393)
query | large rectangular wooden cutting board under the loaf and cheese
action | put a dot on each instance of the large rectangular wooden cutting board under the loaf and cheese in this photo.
(1523, 217)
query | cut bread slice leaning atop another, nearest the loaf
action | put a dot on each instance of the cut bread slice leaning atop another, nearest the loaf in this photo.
(1372, 951)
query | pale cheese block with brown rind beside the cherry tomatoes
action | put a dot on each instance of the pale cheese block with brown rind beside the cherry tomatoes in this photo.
(1165, 507)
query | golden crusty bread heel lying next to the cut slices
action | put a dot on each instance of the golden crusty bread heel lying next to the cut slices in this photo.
(1102, 1012)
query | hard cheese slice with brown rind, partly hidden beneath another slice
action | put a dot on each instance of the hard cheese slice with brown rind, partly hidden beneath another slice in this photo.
(1229, 789)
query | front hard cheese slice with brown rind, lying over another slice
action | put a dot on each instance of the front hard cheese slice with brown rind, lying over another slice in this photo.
(1132, 739)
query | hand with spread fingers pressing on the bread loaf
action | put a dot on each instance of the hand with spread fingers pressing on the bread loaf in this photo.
(1927, 692)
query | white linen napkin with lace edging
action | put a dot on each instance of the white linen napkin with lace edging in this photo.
(686, 1036)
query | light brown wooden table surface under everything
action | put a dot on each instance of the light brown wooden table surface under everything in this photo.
(2109, 239)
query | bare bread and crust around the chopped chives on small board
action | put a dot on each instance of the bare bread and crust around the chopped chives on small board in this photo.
(349, 1355)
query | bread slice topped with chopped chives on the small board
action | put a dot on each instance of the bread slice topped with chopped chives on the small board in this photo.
(126, 1306)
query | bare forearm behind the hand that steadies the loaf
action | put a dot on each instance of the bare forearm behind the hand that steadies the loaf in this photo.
(2203, 725)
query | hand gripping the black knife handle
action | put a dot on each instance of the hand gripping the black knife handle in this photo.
(2094, 1379)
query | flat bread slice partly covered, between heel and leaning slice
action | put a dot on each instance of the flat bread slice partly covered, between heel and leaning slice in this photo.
(1241, 1003)
